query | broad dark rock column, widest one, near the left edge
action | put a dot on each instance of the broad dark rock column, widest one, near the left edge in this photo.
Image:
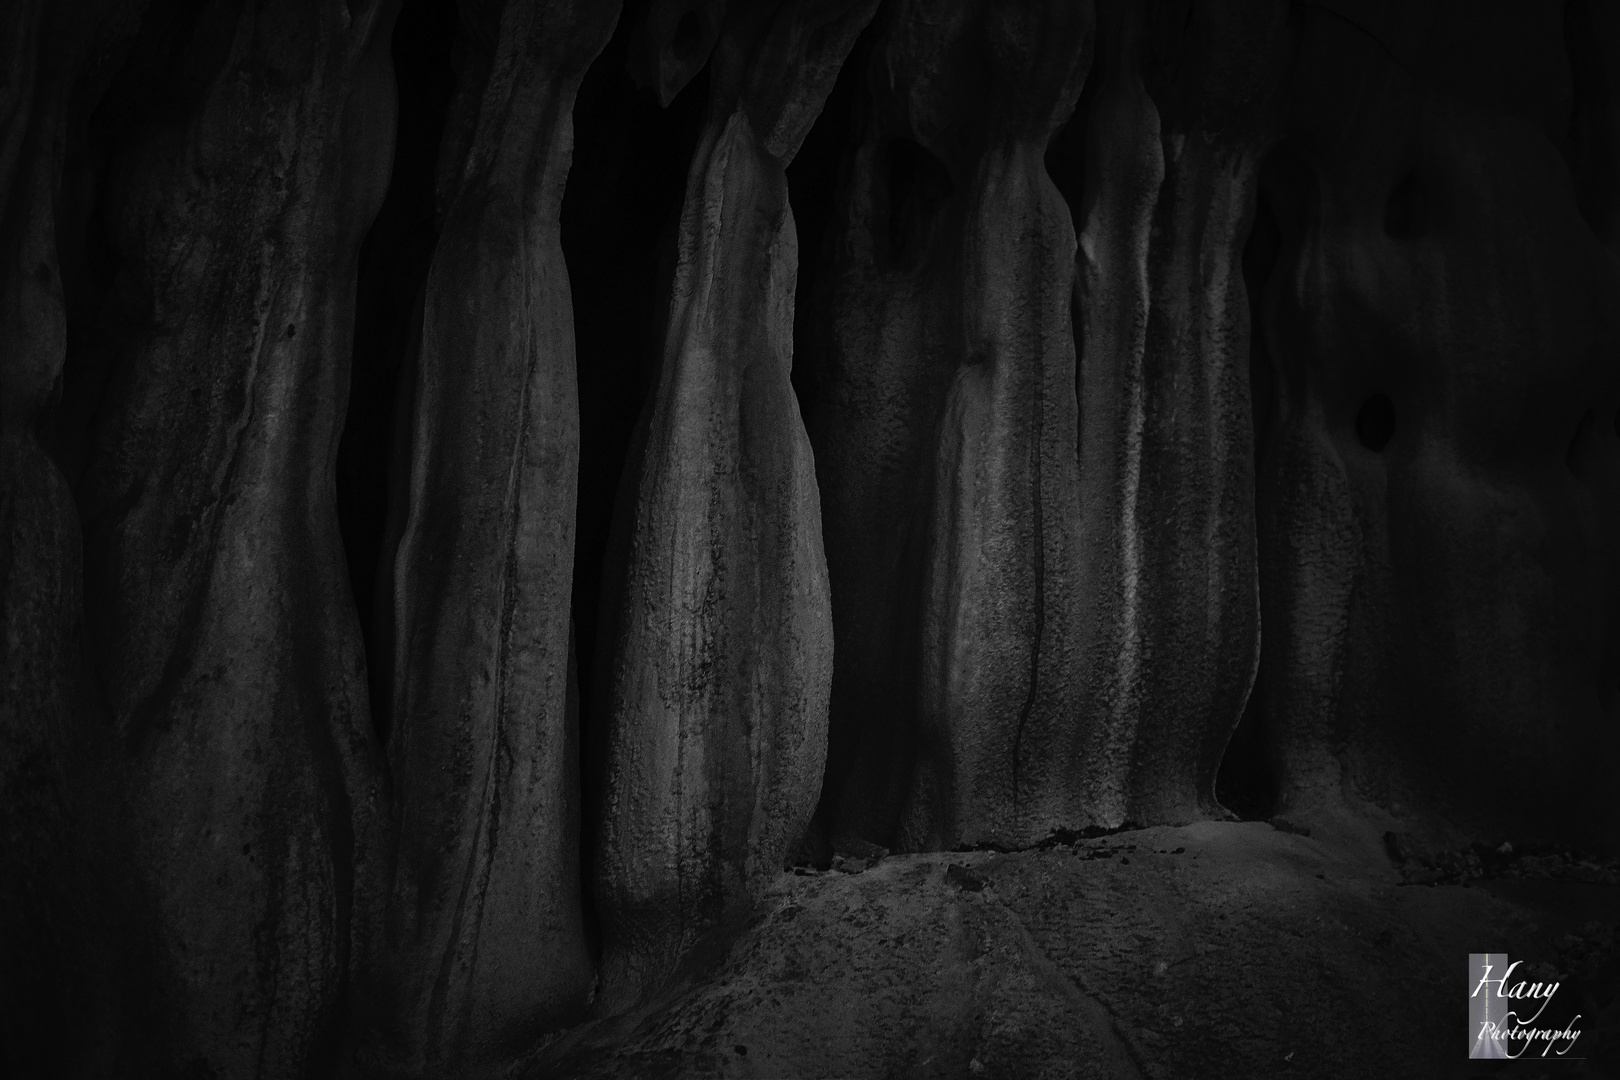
(242, 778)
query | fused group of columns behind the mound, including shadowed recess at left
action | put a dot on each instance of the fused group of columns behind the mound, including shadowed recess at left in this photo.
(1017, 681)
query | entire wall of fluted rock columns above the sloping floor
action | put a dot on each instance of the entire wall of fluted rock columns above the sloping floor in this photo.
(488, 483)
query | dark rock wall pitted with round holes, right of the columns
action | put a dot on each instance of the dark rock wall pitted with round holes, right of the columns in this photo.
(1444, 491)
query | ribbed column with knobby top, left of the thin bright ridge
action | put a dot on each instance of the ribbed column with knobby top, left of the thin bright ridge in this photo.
(999, 611)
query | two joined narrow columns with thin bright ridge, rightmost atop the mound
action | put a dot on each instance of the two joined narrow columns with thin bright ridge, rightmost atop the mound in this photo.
(1174, 138)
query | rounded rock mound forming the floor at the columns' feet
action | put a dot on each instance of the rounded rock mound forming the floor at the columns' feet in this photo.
(1206, 951)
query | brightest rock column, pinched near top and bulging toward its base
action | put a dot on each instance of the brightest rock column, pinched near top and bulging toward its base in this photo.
(720, 627)
